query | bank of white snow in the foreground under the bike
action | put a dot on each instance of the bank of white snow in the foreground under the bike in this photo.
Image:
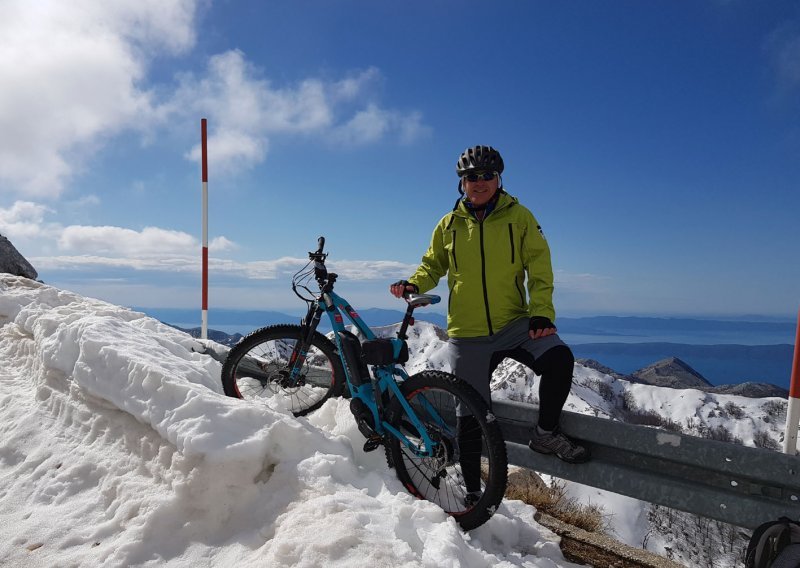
(119, 449)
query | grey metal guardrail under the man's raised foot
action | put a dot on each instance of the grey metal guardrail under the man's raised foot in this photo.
(735, 484)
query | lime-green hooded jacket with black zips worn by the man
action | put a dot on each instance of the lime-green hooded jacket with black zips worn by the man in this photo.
(486, 263)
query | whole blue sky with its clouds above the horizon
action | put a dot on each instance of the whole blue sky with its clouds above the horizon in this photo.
(658, 144)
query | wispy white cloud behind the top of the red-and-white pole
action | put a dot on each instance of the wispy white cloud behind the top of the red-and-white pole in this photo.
(245, 110)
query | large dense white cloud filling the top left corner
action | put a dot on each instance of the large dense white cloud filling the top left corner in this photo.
(71, 75)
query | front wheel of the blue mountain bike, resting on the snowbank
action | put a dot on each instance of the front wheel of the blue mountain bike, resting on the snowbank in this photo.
(258, 367)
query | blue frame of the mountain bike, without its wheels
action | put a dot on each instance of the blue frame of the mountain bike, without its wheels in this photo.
(382, 379)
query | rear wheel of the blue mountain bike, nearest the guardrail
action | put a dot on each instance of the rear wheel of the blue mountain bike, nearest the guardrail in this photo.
(467, 476)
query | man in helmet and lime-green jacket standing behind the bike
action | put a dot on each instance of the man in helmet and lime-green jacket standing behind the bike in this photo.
(487, 245)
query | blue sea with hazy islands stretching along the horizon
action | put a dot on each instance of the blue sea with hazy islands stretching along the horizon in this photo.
(711, 347)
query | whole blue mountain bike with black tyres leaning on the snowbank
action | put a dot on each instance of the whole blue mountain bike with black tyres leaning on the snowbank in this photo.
(437, 432)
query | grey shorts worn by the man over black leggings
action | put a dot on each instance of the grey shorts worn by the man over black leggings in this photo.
(470, 357)
